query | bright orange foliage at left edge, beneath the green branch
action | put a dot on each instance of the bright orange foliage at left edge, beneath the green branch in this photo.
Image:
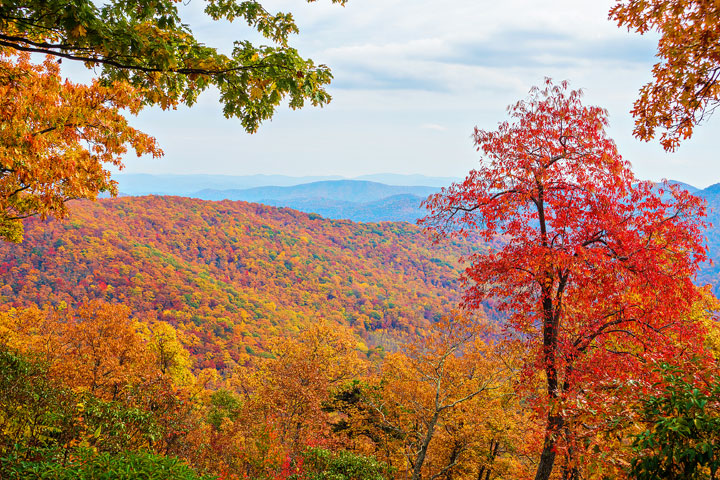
(55, 138)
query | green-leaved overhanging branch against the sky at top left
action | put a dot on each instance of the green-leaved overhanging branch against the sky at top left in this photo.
(147, 45)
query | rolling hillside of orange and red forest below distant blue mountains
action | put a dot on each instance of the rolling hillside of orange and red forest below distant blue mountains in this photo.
(231, 275)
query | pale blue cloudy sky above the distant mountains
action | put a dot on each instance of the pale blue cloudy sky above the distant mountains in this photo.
(412, 80)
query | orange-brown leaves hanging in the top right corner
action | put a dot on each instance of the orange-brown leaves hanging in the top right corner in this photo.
(686, 82)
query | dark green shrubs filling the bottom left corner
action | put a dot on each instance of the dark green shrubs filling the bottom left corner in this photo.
(49, 431)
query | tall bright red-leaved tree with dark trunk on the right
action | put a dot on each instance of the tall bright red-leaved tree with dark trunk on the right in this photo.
(589, 266)
